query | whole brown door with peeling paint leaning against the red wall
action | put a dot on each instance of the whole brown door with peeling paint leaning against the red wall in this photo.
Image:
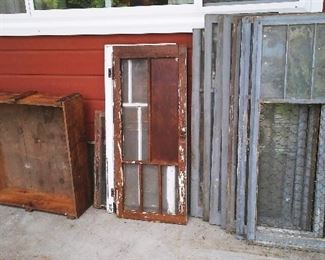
(150, 132)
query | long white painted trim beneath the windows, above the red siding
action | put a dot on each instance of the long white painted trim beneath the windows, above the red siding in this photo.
(134, 20)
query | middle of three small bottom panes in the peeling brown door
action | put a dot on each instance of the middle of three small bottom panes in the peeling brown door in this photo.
(150, 188)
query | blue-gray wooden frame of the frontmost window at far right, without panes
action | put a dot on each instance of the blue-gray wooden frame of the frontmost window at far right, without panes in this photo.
(266, 235)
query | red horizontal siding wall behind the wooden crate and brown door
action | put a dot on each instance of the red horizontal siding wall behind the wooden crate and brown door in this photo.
(66, 64)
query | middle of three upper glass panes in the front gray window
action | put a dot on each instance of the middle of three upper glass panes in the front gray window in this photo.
(300, 56)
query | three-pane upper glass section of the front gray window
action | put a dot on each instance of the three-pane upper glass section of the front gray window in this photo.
(293, 62)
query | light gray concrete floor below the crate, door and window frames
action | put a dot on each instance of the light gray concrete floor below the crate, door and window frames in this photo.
(98, 235)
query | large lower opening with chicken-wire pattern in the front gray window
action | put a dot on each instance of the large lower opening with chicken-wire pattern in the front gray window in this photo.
(287, 162)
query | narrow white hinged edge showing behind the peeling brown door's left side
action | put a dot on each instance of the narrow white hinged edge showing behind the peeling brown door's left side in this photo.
(109, 127)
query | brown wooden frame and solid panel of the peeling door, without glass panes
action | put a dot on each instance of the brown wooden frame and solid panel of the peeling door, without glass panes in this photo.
(169, 59)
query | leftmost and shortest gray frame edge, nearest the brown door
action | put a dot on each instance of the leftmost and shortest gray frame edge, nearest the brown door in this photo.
(196, 208)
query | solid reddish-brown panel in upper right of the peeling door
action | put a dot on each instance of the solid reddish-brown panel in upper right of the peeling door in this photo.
(164, 110)
